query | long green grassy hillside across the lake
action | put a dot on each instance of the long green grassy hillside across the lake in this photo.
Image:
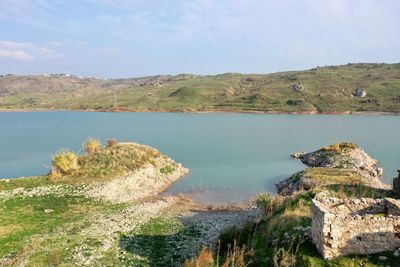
(347, 88)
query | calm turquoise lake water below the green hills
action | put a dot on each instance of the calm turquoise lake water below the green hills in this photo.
(232, 157)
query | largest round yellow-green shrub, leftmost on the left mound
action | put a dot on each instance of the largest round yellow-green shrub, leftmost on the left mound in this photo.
(64, 162)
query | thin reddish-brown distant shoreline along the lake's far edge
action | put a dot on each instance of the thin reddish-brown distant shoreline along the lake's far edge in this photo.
(377, 113)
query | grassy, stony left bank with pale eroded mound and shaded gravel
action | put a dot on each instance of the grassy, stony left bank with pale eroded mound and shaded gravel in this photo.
(104, 208)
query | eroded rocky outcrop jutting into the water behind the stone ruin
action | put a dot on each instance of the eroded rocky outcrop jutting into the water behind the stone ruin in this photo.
(343, 163)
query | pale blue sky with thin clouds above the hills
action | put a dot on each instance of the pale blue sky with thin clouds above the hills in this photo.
(131, 38)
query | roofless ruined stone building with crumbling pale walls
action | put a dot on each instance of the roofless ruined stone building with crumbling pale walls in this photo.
(355, 226)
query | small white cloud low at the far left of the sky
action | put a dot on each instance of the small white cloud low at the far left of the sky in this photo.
(27, 51)
